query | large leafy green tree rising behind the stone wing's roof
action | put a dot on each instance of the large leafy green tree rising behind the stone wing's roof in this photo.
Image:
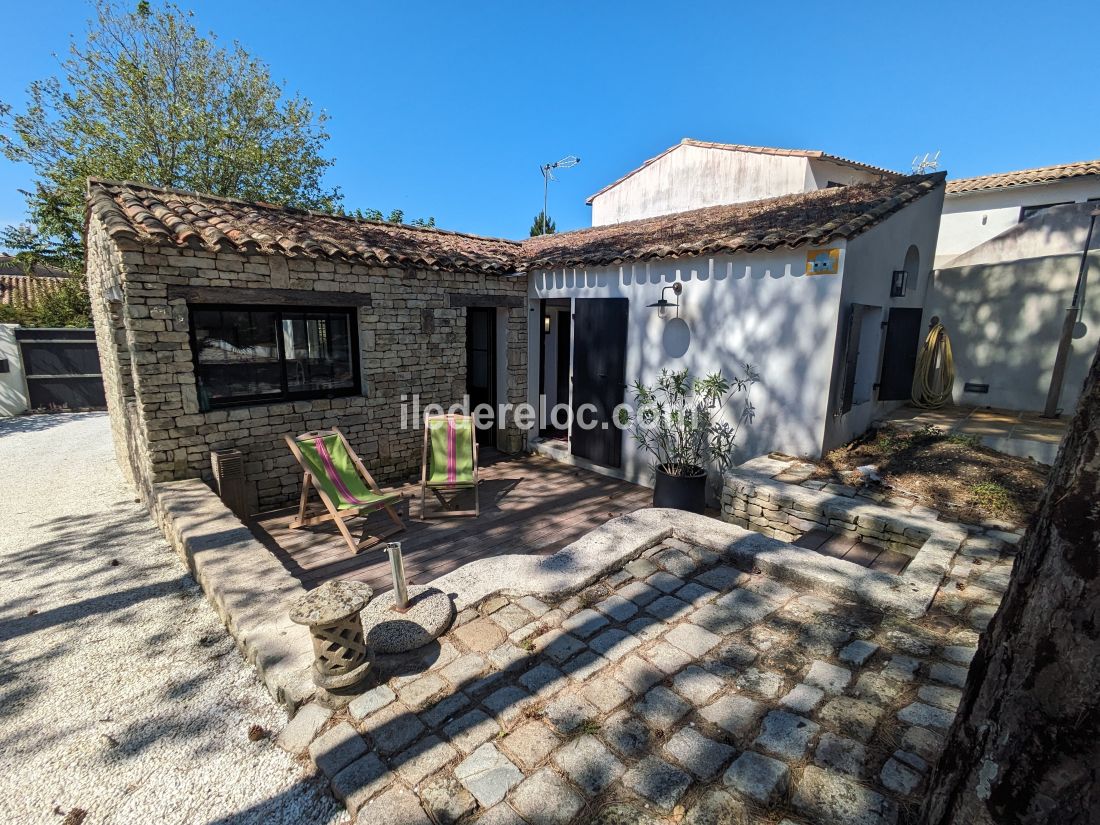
(147, 98)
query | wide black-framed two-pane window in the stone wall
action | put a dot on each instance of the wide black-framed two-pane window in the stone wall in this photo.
(265, 355)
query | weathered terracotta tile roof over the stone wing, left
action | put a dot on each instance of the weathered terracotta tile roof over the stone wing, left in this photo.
(152, 216)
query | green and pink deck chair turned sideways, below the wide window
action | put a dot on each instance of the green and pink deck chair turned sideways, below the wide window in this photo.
(345, 487)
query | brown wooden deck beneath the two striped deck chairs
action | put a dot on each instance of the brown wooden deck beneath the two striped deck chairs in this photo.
(529, 505)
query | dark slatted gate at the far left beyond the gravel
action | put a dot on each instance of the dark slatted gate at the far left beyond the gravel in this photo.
(62, 368)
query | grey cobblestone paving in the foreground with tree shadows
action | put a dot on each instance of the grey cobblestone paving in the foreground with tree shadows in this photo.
(679, 689)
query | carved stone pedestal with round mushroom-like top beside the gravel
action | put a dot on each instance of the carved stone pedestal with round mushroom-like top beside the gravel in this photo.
(332, 612)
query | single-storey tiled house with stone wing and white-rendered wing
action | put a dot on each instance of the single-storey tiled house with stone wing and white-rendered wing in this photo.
(224, 324)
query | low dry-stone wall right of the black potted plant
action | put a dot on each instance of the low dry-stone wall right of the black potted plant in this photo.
(786, 512)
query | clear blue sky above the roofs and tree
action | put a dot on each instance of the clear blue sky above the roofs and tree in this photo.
(448, 109)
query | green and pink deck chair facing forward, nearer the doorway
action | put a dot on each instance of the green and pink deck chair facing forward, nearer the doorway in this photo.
(449, 466)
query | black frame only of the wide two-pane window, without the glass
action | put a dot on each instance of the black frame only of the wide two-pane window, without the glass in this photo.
(287, 395)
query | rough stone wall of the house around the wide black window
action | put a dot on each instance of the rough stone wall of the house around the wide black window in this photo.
(412, 335)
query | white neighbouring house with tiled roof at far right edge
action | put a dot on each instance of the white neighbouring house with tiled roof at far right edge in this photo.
(978, 210)
